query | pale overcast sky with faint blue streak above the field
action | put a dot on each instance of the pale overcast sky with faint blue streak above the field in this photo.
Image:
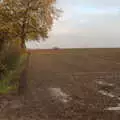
(85, 23)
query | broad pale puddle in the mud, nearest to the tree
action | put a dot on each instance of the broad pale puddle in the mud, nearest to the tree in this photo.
(59, 94)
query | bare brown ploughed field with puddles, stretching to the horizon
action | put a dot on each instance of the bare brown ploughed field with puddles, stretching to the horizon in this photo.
(71, 84)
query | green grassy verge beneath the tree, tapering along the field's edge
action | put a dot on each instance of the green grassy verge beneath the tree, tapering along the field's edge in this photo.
(10, 81)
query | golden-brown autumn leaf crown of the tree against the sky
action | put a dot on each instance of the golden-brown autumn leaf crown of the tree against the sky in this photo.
(23, 20)
